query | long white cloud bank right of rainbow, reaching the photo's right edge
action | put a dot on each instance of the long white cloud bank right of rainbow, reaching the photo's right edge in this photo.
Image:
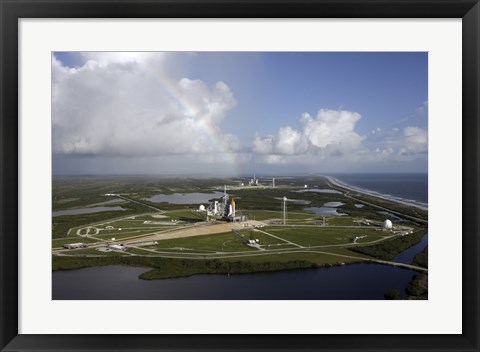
(330, 141)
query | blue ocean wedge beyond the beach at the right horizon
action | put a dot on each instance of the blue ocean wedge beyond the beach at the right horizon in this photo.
(409, 187)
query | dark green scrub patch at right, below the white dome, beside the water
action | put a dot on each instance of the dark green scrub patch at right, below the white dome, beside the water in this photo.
(388, 249)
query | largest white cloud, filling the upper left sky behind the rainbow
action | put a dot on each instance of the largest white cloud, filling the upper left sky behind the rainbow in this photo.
(125, 104)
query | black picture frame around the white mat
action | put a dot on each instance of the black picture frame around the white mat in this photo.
(13, 10)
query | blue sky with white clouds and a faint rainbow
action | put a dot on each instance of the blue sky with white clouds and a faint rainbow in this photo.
(237, 113)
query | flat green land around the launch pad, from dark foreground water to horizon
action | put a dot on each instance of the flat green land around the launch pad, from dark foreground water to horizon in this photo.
(305, 241)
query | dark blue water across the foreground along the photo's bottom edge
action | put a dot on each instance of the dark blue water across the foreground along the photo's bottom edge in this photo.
(349, 282)
